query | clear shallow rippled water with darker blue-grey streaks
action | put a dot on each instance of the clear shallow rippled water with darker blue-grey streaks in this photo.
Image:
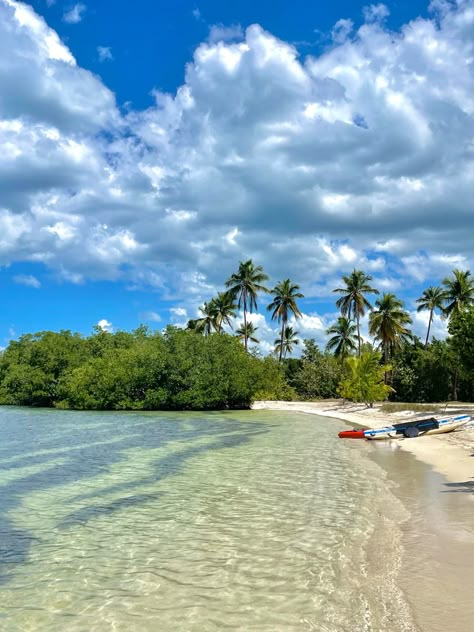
(194, 522)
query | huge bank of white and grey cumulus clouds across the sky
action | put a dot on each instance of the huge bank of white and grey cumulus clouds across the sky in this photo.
(360, 157)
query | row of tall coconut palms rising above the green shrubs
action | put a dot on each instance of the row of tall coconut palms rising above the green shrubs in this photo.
(388, 319)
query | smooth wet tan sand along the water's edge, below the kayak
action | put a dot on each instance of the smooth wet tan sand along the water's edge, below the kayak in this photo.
(436, 573)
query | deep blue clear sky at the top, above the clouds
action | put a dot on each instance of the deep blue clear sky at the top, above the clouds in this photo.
(152, 45)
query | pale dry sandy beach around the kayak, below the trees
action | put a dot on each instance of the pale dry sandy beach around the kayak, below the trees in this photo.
(451, 454)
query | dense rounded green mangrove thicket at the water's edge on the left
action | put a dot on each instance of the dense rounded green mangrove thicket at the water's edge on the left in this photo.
(138, 370)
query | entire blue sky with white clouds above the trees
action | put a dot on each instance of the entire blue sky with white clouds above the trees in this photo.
(146, 149)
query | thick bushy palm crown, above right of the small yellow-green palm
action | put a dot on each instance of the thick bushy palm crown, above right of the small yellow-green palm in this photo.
(387, 323)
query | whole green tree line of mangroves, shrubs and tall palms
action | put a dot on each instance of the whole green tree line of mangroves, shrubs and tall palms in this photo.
(203, 367)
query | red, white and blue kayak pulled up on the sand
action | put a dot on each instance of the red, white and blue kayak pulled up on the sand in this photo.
(409, 429)
